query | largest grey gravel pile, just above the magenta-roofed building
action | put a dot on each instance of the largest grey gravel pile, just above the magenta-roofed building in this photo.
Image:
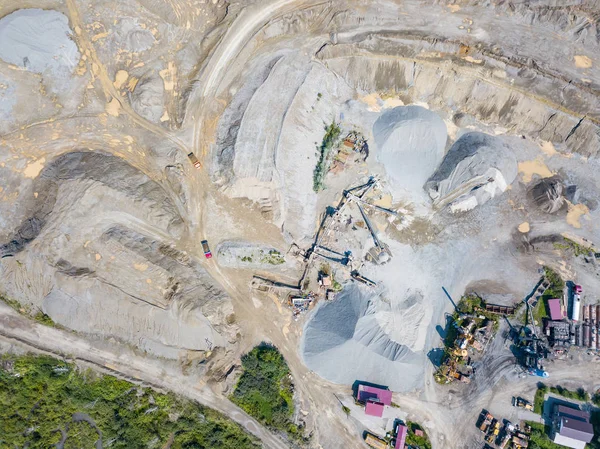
(361, 336)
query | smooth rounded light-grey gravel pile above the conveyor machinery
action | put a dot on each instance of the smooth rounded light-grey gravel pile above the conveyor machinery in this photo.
(411, 142)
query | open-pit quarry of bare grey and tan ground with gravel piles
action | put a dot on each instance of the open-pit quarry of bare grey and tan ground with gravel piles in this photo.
(355, 158)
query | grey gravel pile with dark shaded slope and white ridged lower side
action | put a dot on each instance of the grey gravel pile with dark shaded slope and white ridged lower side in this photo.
(477, 167)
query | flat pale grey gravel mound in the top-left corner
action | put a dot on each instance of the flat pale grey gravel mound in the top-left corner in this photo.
(38, 40)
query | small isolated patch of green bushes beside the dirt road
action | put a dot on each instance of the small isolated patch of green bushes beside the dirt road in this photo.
(265, 390)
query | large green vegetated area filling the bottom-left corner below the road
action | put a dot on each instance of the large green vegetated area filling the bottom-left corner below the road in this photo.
(40, 394)
